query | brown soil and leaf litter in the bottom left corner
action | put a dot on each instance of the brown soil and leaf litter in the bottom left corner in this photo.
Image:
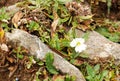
(12, 67)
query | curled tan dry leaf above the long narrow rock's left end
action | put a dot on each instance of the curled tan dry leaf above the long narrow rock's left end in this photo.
(16, 18)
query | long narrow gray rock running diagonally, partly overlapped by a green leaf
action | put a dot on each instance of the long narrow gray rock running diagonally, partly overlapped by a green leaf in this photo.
(39, 49)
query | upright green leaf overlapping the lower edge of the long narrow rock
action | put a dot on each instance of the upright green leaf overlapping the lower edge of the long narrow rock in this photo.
(49, 63)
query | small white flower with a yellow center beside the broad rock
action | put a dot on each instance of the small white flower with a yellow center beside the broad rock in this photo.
(79, 45)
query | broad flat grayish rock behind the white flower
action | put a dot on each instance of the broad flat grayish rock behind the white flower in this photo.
(99, 46)
